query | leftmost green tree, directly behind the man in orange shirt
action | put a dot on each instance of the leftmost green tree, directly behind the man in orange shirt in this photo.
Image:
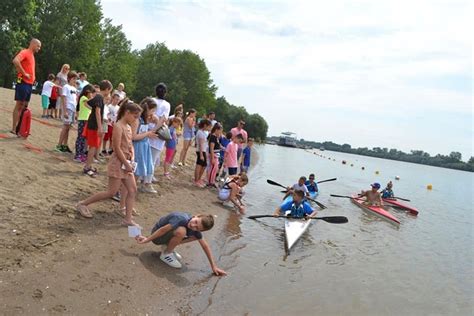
(17, 24)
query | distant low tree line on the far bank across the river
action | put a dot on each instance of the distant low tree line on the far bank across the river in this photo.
(451, 161)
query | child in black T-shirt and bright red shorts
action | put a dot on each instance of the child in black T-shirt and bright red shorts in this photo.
(94, 130)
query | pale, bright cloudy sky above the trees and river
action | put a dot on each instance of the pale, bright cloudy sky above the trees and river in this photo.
(395, 74)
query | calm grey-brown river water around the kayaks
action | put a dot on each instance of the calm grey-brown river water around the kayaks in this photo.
(365, 267)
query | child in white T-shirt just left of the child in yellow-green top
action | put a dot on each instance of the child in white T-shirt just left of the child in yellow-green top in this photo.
(69, 100)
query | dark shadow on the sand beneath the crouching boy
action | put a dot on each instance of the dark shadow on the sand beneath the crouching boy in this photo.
(151, 261)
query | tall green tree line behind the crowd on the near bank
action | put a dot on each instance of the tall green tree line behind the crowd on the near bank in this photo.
(76, 33)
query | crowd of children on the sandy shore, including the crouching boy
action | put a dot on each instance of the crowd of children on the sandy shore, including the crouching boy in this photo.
(131, 135)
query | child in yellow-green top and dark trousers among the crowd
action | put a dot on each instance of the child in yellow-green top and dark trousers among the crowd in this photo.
(84, 110)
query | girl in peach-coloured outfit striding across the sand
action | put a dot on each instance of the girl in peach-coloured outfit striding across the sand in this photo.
(120, 168)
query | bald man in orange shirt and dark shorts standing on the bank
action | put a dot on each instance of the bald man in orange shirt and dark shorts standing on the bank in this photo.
(25, 65)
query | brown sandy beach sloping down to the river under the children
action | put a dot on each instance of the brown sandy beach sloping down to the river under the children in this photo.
(55, 261)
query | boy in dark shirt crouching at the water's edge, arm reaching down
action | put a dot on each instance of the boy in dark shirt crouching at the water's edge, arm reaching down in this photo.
(178, 228)
